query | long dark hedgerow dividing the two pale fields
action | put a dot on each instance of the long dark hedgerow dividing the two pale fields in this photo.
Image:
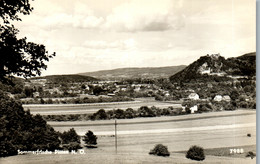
(145, 111)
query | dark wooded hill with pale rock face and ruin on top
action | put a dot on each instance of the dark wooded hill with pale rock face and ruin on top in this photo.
(212, 67)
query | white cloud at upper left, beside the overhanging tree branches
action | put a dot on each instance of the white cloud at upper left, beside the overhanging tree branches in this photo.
(58, 14)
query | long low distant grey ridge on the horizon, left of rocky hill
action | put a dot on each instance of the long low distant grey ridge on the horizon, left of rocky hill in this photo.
(135, 72)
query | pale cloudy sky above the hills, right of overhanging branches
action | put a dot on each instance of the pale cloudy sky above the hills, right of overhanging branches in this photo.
(92, 35)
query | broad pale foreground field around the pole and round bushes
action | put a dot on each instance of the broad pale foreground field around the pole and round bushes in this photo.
(216, 132)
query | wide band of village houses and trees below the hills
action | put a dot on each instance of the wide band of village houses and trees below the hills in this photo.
(193, 98)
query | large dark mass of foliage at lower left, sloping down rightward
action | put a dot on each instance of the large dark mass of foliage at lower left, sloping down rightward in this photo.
(19, 130)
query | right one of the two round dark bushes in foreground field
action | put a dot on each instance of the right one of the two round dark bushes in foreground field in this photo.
(196, 153)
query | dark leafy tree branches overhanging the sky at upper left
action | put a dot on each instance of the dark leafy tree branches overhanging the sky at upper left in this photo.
(18, 57)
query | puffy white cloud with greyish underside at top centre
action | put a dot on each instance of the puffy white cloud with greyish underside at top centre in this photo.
(145, 15)
